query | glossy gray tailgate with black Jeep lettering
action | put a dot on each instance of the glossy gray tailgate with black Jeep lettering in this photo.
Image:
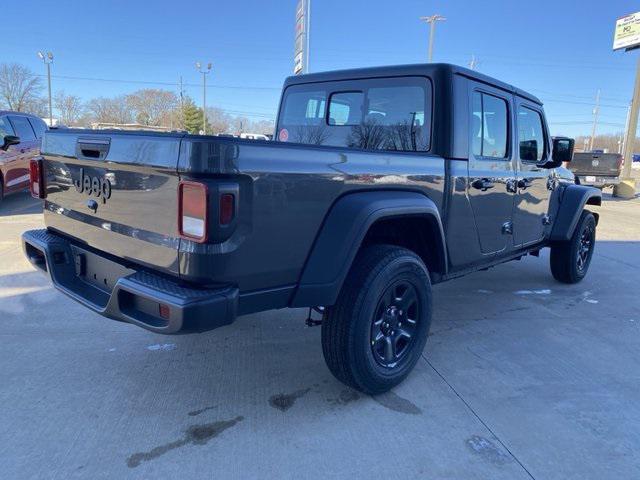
(116, 192)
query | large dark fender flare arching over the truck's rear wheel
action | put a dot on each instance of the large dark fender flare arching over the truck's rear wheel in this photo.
(341, 235)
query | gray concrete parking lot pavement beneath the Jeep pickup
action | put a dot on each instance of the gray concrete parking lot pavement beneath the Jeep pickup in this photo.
(522, 377)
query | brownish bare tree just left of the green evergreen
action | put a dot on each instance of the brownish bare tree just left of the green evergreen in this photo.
(153, 106)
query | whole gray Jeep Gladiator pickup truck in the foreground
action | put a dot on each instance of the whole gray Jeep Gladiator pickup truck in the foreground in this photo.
(381, 183)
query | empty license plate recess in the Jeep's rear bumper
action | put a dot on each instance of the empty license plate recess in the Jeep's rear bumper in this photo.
(97, 271)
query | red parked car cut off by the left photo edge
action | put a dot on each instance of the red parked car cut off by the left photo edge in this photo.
(20, 136)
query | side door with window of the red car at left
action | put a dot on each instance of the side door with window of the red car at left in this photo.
(17, 169)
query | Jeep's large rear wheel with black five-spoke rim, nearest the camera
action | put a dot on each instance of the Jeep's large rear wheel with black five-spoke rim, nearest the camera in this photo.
(375, 333)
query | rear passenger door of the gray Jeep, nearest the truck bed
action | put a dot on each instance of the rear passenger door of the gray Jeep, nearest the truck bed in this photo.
(492, 174)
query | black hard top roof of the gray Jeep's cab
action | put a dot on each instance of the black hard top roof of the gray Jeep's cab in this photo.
(431, 69)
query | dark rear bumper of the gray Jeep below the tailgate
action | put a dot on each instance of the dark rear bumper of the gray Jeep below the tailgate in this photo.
(128, 295)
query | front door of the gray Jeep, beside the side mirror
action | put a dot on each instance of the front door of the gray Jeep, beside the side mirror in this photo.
(534, 183)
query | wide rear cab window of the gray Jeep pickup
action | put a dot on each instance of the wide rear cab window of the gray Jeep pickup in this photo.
(373, 114)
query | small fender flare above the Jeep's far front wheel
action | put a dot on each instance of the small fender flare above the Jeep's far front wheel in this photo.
(572, 203)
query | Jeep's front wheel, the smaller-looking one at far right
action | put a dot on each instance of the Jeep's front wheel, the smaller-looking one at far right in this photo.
(570, 260)
